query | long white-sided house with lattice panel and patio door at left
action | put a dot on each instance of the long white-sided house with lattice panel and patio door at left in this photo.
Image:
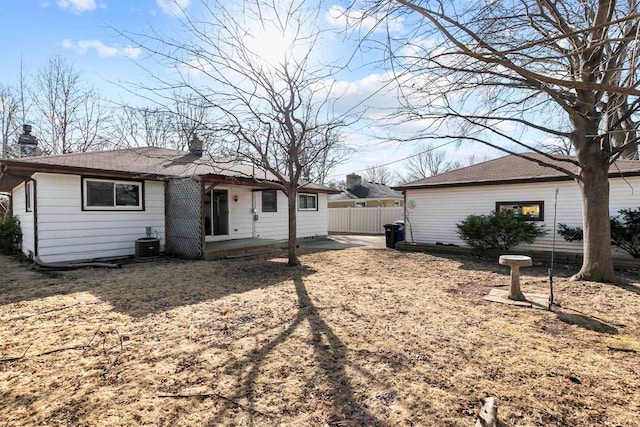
(95, 205)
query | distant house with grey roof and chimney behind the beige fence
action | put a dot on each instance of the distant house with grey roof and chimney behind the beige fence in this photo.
(360, 194)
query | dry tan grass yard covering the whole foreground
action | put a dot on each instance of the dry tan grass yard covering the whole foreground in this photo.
(352, 337)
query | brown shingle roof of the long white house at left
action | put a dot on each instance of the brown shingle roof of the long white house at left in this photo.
(147, 162)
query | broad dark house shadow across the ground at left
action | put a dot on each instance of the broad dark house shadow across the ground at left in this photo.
(141, 289)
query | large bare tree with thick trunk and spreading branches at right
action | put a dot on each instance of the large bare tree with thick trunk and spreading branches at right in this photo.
(542, 68)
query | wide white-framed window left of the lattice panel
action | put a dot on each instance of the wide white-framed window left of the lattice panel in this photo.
(103, 194)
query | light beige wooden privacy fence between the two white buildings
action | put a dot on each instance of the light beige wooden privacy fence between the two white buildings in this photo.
(362, 220)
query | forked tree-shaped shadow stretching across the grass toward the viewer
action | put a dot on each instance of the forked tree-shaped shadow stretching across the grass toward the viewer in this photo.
(330, 355)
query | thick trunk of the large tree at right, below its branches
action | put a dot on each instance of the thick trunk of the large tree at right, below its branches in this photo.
(594, 185)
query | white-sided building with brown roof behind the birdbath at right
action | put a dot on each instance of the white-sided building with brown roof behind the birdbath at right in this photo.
(436, 204)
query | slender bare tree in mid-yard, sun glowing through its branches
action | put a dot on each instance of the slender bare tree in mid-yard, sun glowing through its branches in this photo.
(251, 64)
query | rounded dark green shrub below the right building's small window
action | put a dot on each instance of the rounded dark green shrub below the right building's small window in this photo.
(498, 230)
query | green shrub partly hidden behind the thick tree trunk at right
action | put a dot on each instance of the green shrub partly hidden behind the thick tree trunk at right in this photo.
(625, 231)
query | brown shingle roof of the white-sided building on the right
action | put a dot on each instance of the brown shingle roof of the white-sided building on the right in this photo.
(514, 169)
